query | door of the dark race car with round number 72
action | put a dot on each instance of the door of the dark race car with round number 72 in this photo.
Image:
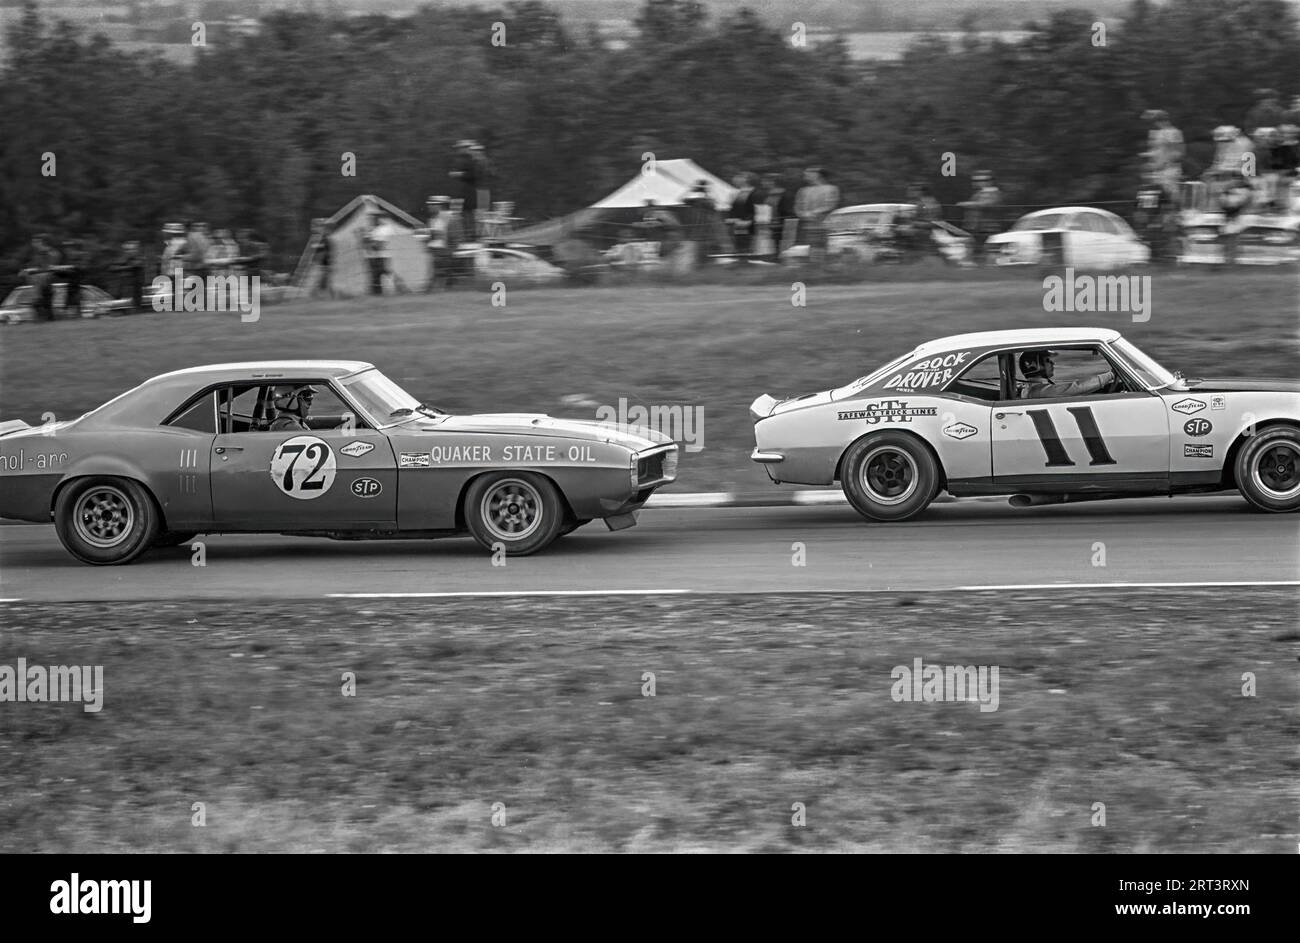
(332, 477)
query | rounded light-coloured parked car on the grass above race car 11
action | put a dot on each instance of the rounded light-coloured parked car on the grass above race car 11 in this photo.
(1069, 236)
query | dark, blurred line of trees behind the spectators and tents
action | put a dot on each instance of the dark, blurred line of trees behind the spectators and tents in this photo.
(270, 131)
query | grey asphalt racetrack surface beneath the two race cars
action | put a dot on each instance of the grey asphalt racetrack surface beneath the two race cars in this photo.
(965, 544)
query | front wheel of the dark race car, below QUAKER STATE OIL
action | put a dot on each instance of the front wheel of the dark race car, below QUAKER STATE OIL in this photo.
(521, 512)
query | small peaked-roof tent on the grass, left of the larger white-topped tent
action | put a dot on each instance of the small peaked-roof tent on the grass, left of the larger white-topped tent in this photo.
(350, 272)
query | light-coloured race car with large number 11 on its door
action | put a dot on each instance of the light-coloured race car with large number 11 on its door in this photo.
(1046, 416)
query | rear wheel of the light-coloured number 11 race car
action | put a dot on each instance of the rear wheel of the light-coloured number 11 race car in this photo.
(890, 477)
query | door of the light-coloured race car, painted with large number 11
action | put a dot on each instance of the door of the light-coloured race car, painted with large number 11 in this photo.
(1119, 440)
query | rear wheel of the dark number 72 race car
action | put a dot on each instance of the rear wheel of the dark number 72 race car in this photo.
(106, 521)
